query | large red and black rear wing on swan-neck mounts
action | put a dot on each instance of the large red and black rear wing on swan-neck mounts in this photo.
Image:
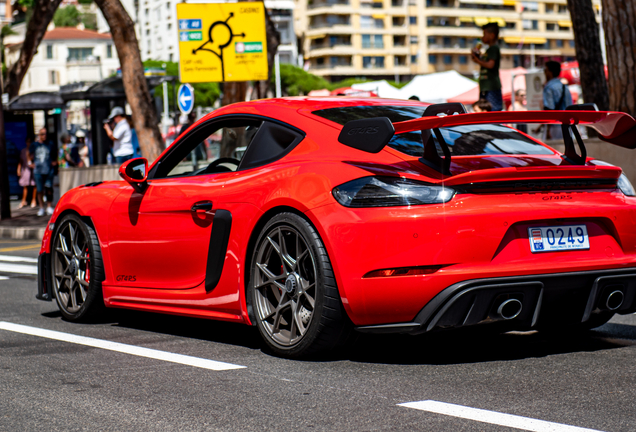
(373, 134)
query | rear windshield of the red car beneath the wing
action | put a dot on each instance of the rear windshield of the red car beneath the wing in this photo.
(469, 140)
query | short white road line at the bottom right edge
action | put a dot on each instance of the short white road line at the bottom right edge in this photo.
(493, 417)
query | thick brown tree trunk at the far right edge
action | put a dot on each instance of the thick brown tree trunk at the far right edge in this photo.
(619, 22)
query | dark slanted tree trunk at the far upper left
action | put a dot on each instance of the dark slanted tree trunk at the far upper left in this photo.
(43, 11)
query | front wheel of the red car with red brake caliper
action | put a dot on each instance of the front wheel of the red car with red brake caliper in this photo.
(77, 270)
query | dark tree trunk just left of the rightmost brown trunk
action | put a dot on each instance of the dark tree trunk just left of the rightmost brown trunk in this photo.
(588, 53)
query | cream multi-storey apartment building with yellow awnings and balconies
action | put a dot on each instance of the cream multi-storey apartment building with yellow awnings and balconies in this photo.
(397, 39)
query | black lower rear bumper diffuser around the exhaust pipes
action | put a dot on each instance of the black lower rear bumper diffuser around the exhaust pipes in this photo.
(550, 299)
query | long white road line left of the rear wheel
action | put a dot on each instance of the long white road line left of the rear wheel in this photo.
(119, 347)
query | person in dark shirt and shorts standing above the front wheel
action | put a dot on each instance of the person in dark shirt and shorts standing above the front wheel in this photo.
(43, 154)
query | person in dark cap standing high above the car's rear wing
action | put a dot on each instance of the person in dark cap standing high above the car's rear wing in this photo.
(489, 81)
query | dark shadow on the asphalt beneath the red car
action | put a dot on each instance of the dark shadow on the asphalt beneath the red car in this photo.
(452, 347)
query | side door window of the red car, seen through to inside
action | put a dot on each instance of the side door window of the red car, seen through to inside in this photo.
(214, 148)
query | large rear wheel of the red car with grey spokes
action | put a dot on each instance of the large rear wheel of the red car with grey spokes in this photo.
(292, 290)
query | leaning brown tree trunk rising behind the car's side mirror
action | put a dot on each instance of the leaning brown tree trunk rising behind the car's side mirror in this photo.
(145, 118)
